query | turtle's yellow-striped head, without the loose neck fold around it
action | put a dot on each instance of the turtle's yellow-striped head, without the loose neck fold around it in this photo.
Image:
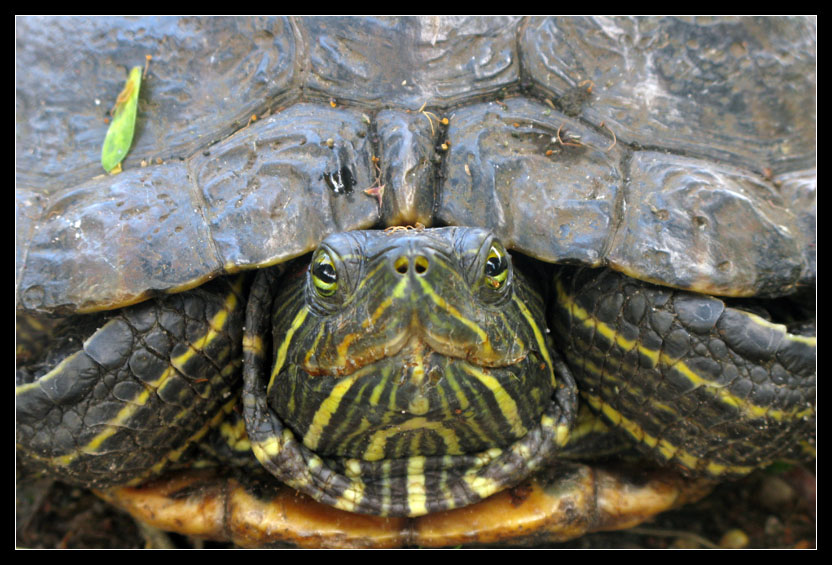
(412, 343)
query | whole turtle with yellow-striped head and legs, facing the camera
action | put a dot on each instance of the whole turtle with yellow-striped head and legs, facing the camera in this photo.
(627, 206)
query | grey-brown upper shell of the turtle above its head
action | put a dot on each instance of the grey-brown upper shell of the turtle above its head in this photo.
(679, 152)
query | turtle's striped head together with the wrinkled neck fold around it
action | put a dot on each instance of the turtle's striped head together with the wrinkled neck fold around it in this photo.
(403, 358)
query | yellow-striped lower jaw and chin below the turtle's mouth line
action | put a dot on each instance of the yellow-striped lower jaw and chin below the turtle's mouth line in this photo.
(414, 400)
